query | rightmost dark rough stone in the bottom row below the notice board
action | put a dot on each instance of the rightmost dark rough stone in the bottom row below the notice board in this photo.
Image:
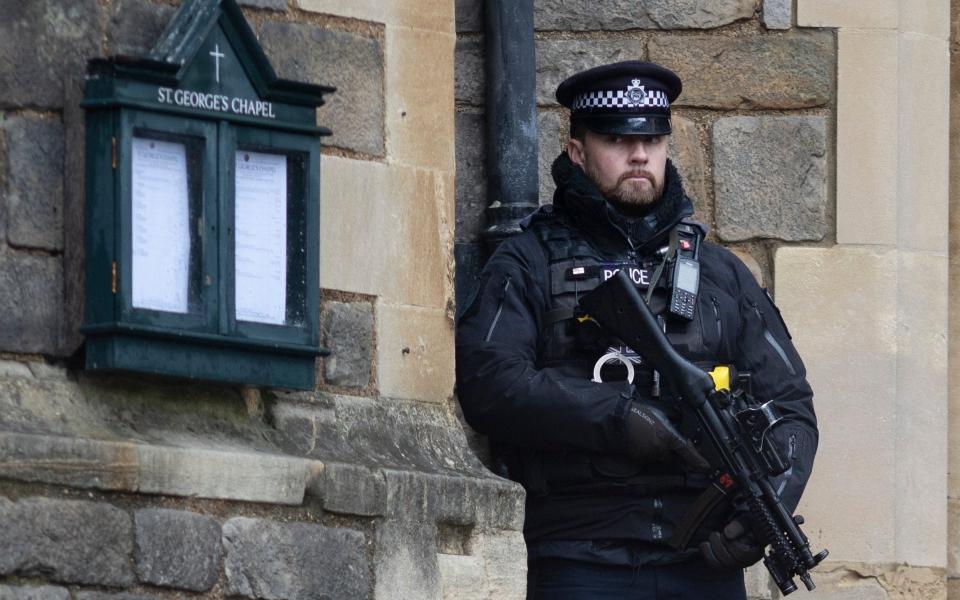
(294, 561)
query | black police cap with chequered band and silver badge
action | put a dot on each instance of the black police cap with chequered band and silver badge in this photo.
(631, 97)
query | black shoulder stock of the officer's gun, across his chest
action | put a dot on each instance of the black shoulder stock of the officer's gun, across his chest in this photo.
(617, 306)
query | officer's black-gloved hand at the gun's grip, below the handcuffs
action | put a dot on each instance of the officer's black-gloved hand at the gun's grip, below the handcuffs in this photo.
(652, 438)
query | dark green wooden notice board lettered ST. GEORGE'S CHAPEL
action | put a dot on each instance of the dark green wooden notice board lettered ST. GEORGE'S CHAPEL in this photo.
(202, 208)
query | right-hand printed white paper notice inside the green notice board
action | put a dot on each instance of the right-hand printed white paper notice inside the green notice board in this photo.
(261, 227)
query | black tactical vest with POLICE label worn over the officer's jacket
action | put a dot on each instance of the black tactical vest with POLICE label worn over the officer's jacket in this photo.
(575, 268)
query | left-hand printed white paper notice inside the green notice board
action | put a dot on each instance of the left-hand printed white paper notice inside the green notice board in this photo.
(161, 226)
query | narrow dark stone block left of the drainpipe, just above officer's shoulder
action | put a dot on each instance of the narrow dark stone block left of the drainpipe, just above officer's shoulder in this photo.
(471, 182)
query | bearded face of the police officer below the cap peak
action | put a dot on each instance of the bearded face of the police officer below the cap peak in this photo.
(629, 170)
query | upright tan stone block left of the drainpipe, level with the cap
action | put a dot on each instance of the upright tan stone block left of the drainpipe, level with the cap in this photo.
(420, 101)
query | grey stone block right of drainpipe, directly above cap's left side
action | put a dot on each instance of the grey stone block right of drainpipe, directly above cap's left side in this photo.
(559, 59)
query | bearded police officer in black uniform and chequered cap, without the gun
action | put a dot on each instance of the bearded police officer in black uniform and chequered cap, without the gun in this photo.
(609, 458)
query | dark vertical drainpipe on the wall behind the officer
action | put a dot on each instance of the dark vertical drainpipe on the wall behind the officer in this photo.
(511, 110)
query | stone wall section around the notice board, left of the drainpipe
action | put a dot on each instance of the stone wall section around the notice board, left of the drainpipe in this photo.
(123, 486)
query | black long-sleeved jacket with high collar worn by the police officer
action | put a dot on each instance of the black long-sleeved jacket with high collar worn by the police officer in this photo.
(563, 436)
